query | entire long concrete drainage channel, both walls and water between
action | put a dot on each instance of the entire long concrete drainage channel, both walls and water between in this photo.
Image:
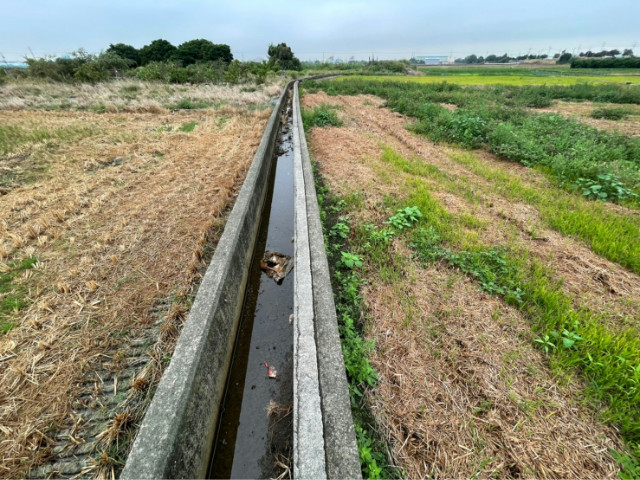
(209, 381)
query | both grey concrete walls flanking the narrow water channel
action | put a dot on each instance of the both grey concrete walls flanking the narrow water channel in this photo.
(176, 436)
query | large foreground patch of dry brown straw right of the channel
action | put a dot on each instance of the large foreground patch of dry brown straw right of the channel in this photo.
(465, 394)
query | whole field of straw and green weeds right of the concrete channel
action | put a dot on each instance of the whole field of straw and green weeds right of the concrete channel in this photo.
(487, 284)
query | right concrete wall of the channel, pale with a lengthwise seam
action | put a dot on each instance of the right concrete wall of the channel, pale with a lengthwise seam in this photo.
(324, 436)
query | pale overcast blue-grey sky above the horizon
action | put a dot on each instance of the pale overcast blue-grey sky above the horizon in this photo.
(313, 28)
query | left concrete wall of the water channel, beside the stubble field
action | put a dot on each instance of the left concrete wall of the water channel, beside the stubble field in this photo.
(175, 439)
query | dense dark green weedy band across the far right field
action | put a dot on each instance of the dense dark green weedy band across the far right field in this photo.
(601, 165)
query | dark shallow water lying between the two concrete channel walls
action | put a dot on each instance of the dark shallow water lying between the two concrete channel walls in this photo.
(248, 438)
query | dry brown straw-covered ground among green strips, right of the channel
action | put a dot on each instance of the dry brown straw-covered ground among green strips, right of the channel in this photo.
(462, 391)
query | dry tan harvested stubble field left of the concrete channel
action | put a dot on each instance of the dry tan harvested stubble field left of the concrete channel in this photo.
(121, 221)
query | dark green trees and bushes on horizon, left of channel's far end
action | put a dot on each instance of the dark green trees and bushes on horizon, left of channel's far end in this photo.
(194, 61)
